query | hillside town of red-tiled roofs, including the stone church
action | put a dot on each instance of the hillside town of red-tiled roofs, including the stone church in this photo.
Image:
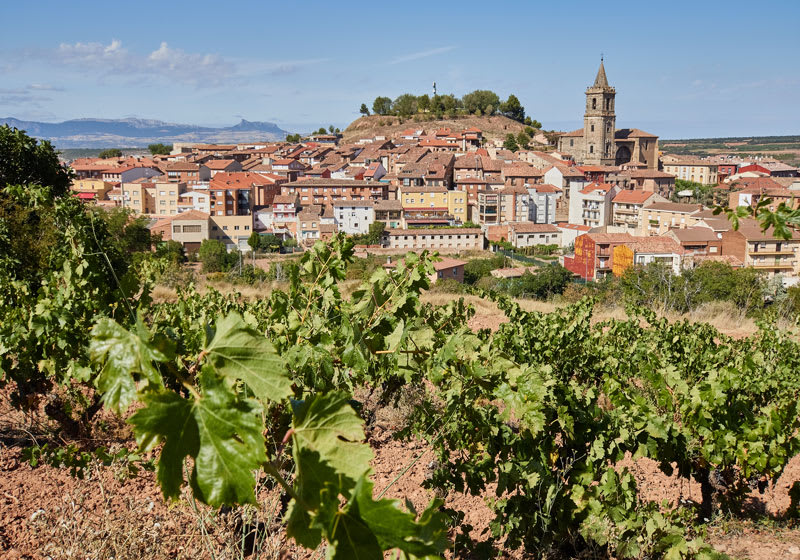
(605, 196)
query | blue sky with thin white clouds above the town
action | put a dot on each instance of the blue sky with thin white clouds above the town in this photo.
(681, 69)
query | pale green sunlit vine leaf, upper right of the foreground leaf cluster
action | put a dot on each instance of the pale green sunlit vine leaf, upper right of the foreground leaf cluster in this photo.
(238, 351)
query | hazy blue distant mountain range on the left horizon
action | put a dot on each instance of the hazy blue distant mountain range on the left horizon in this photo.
(135, 133)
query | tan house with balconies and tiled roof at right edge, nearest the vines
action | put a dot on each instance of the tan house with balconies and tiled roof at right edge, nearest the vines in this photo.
(762, 250)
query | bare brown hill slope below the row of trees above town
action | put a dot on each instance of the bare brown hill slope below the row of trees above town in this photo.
(495, 127)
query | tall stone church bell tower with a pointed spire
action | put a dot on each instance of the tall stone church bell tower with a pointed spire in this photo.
(599, 121)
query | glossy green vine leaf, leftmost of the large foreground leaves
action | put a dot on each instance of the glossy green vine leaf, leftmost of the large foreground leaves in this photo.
(126, 354)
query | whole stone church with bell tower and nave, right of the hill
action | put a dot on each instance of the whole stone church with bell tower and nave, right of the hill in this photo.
(599, 142)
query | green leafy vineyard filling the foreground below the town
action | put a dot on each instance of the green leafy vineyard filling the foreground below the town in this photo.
(225, 397)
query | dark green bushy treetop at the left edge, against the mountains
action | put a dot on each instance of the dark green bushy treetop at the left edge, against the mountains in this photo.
(25, 160)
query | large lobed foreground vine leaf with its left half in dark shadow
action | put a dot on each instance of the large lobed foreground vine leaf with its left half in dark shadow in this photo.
(222, 433)
